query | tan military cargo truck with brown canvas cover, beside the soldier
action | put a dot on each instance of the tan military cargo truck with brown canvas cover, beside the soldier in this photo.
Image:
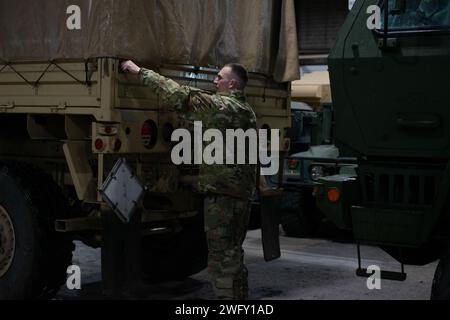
(72, 124)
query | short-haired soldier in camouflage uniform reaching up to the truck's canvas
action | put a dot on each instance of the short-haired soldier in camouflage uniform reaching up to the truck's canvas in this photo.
(227, 188)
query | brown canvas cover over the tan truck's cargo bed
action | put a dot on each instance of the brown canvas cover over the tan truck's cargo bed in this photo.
(261, 34)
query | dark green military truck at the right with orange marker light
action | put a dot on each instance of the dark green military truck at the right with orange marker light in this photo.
(389, 84)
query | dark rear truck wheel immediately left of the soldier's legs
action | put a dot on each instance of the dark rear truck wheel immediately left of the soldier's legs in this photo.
(176, 256)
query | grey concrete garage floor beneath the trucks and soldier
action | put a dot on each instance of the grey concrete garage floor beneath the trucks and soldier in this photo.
(309, 269)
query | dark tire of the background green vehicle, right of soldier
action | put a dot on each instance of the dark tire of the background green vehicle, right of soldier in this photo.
(298, 214)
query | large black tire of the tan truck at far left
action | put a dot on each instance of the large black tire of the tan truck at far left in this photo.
(33, 256)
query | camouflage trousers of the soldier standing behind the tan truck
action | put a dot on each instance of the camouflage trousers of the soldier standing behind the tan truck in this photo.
(226, 222)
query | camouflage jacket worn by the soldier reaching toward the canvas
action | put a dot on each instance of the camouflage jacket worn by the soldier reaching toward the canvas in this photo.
(215, 111)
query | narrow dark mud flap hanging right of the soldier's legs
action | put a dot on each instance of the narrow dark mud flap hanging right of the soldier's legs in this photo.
(270, 221)
